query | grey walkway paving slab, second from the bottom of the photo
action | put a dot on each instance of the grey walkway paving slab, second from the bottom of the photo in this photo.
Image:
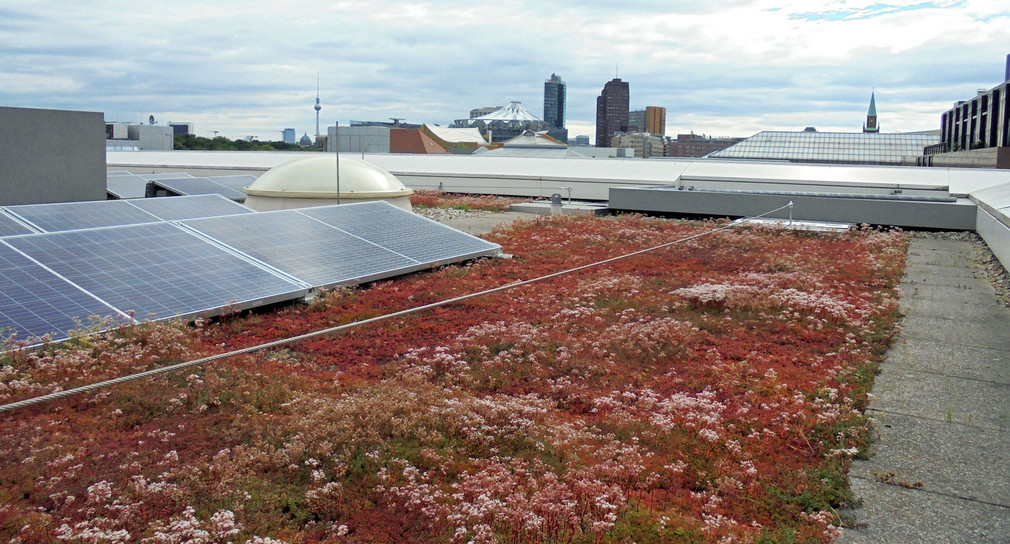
(945, 458)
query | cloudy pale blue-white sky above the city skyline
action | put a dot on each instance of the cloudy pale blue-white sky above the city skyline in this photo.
(726, 68)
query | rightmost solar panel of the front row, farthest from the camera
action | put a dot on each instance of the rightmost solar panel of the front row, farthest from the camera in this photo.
(402, 232)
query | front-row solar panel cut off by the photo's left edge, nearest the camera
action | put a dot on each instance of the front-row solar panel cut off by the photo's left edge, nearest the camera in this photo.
(35, 302)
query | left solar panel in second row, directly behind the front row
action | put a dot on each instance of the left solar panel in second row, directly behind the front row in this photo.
(78, 215)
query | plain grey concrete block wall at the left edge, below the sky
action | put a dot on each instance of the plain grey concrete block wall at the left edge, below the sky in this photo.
(51, 156)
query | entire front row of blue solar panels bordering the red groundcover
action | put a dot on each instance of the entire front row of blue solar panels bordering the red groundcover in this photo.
(53, 282)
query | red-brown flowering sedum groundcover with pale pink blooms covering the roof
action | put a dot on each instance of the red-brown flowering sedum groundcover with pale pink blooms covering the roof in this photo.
(711, 392)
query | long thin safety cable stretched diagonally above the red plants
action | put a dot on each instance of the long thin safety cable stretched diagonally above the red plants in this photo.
(323, 333)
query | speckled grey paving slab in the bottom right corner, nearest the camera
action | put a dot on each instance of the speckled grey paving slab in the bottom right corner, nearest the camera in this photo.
(895, 515)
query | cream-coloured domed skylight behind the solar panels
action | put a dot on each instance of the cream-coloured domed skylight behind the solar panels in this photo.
(313, 182)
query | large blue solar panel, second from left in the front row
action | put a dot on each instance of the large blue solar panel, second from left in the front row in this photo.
(158, 270)
